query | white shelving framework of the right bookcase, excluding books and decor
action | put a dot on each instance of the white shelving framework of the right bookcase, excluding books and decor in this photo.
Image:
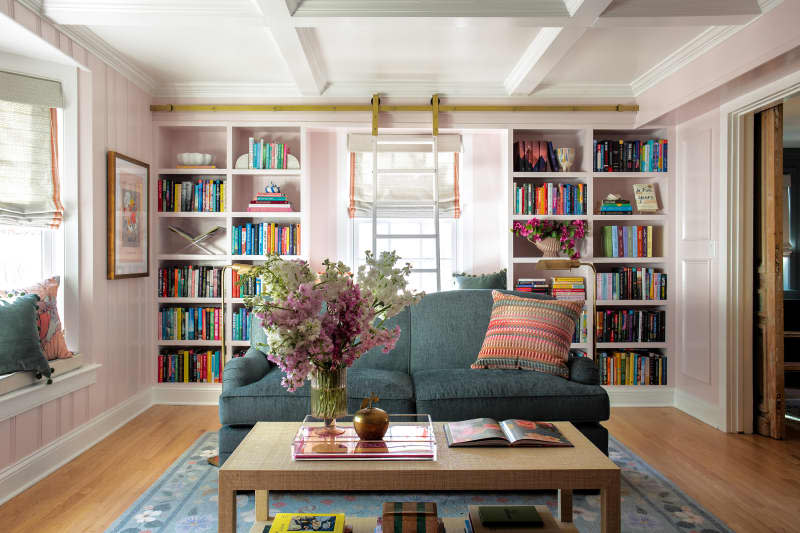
(523, 256)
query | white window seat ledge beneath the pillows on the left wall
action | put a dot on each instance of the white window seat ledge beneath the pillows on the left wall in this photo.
(21, 391)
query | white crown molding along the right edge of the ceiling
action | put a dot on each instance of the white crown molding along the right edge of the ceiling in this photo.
(690, 51)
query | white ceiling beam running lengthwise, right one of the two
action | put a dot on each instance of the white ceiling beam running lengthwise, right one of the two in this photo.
(549, 47)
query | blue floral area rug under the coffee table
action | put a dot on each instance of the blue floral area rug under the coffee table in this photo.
(184, 499)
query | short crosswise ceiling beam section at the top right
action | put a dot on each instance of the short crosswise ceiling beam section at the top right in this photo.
(644, 13)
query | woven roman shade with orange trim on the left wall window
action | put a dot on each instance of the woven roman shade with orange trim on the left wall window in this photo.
(29, 180)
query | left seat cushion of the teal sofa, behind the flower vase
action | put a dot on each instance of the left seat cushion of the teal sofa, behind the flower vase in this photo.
(267, 400)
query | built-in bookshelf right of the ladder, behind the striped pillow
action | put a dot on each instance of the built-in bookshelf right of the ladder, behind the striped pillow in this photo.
(594, 185)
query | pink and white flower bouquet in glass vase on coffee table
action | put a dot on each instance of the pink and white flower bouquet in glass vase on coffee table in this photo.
(317, 325)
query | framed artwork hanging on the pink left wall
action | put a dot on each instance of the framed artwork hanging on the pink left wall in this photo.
(128, 217)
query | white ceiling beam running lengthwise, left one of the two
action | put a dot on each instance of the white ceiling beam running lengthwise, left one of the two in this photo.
(298, 46)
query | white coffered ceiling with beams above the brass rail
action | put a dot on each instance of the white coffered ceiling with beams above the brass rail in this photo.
(499, 48)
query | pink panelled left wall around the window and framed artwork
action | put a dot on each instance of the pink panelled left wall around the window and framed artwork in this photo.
(113, 115)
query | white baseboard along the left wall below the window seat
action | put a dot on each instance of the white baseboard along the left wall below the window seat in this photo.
(24, 473)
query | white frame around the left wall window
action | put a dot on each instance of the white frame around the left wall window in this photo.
(68, 170)
